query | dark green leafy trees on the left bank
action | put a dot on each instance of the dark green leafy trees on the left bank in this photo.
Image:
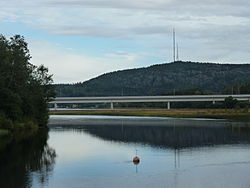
(25, 89)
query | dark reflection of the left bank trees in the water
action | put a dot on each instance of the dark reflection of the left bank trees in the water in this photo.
(26, 161)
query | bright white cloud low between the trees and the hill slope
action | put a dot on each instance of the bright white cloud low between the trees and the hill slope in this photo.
(68, 66)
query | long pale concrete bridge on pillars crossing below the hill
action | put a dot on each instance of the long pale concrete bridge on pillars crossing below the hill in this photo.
(131, 99)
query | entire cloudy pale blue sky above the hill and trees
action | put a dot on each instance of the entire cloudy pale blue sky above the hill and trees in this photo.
(81, 39)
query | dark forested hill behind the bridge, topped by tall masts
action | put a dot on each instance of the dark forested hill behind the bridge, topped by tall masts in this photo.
(161, 79)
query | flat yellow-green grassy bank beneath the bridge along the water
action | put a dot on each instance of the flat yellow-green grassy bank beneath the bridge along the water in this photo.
(237, 114)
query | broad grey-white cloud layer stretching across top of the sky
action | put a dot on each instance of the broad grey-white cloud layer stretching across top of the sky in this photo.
(127, 19)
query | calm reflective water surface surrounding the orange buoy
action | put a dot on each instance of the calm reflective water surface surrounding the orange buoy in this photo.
(87, 151)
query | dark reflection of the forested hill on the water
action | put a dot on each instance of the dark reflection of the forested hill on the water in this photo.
(167, 136)
